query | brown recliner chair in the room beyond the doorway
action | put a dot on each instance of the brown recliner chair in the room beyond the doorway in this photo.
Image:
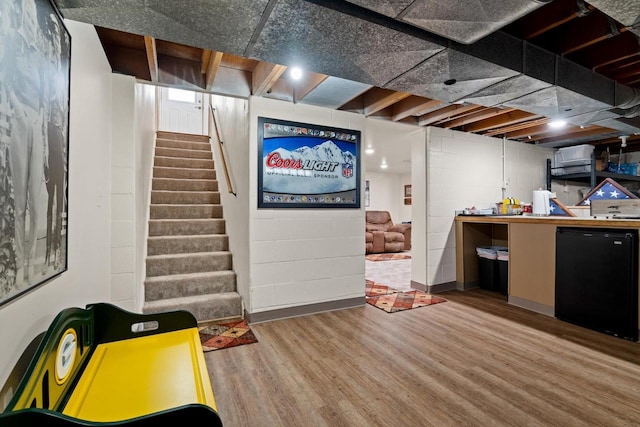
(382, 235)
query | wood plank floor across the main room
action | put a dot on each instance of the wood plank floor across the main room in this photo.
(471, 361)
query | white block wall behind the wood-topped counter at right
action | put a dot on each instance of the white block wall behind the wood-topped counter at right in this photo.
(465, 170)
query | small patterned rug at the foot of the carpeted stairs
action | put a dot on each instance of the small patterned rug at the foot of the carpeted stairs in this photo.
(217, 336)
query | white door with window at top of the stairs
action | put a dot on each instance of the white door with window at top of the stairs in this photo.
(181, 111)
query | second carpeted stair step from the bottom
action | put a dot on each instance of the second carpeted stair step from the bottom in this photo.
(181, 285)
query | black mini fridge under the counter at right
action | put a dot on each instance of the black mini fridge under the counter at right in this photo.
(597, 279)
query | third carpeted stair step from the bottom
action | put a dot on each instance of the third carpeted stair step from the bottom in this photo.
(164, 265)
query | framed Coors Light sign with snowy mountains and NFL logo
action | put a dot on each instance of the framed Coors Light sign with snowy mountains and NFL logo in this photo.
(304, 165)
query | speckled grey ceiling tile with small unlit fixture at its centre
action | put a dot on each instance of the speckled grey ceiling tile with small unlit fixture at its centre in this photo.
(471, 75)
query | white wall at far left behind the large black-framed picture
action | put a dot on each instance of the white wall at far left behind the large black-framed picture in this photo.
(89, 254)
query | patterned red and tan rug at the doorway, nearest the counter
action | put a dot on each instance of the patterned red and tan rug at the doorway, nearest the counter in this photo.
(392, 300)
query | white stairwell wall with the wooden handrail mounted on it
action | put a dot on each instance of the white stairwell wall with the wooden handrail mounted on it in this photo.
(233, 116)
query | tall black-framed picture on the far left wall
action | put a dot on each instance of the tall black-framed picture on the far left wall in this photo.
(35, 64)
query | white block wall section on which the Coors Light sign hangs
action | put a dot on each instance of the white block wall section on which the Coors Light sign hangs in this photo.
(302, 256)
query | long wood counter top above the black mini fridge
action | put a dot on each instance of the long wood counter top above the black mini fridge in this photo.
(549, 220)
